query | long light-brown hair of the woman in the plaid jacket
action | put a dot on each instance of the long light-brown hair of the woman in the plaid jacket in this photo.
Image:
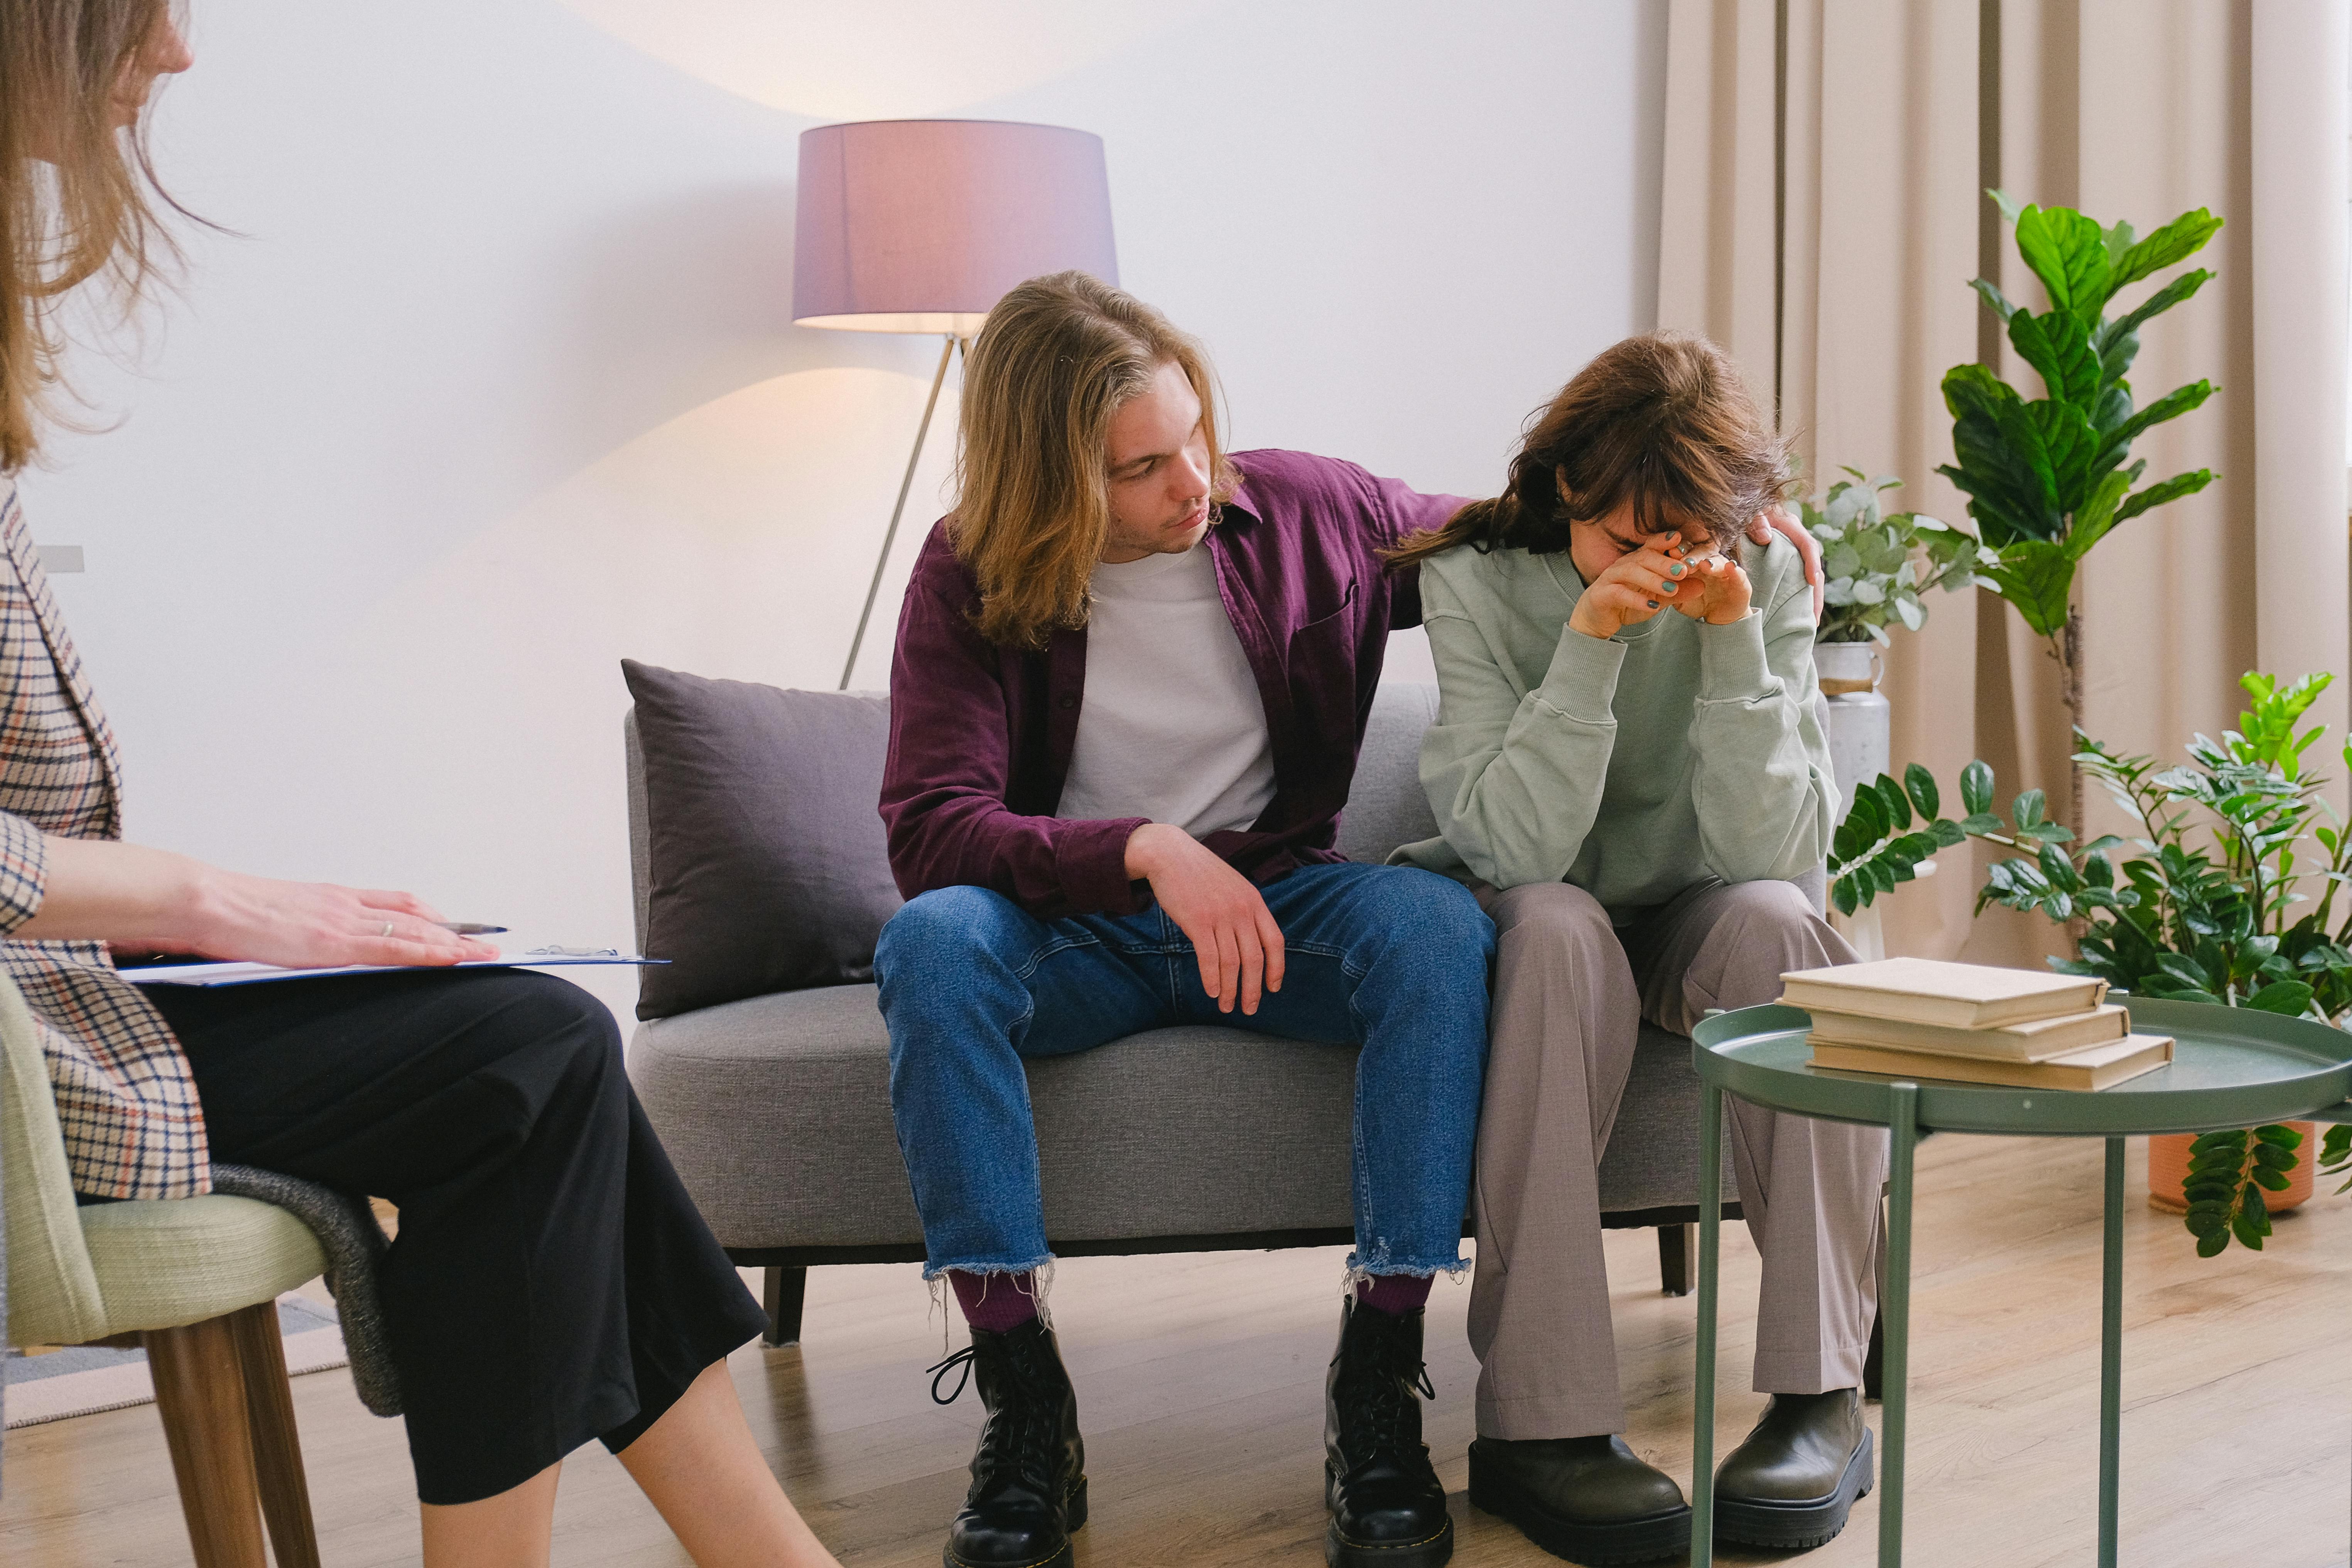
(79, 196)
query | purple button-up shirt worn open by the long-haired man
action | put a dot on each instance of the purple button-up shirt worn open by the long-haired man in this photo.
(980, 735)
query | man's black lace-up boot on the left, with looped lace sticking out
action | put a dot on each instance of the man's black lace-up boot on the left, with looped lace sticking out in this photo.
(1029, 1477)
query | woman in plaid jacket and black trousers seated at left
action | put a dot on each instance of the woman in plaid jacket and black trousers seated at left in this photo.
(552, 1280)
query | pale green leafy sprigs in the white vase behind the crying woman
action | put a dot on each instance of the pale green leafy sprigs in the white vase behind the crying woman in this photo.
(1880, 563)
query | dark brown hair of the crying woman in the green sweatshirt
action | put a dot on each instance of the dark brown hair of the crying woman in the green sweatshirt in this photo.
(1659, 422)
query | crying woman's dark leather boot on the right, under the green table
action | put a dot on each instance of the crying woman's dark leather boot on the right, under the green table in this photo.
(1798, 1475)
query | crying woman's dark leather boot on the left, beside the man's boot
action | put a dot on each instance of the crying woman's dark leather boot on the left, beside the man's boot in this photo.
(1584, 1499)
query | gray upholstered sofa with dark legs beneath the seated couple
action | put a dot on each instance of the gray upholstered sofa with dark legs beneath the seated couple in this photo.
(1194, 1139)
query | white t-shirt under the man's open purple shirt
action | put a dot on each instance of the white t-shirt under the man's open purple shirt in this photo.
(1172, 725)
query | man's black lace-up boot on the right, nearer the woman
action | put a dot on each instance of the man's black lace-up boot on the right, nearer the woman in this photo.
(1384, 1496)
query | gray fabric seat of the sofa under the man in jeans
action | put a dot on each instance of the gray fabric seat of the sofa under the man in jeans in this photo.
(777, 1115)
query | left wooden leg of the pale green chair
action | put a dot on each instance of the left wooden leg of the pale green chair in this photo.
(201, 1398)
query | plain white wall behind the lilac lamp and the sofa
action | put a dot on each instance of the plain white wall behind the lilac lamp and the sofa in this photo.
(497, 382)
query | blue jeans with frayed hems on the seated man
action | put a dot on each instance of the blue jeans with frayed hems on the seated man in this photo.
(1384, 958)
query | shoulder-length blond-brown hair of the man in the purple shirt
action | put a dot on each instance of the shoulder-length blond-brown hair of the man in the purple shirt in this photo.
(1055, 361)
